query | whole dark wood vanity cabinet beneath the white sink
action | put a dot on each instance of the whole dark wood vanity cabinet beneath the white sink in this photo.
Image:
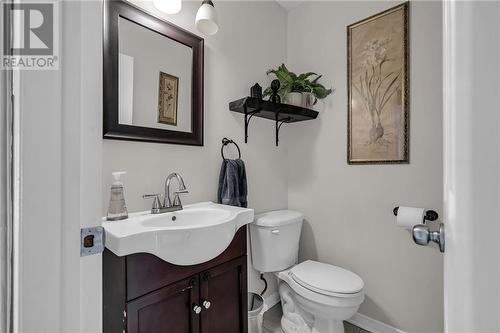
(142, 293)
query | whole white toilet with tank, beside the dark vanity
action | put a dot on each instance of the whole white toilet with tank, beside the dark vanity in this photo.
(315, 297)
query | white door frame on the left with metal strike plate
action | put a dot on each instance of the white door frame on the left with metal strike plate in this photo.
(61, 137)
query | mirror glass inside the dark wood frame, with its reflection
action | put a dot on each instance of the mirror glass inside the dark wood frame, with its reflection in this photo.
(155, 74)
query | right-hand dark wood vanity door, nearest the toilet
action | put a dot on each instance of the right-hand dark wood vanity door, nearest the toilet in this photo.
(225, 288)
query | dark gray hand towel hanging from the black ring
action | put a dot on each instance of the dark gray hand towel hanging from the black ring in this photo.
(233, 183)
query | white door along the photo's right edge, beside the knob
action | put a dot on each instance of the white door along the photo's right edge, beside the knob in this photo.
(472, 166)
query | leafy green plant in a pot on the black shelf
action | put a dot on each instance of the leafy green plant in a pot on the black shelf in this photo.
(301, 90)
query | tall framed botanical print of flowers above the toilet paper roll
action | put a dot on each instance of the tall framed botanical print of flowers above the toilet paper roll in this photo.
(371, 143)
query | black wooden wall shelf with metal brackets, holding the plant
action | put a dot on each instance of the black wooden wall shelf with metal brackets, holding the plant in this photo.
(278, 112)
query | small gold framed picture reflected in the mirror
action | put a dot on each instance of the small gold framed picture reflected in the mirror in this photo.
(168, 97)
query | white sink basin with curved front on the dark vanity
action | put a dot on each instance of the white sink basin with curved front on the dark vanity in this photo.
(196, 234)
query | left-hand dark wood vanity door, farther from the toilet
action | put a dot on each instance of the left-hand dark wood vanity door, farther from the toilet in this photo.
(168, 310)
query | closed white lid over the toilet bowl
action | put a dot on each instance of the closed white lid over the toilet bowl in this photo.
(324, 278)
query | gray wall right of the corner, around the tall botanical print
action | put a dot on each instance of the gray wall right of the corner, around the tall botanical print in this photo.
(349, 208)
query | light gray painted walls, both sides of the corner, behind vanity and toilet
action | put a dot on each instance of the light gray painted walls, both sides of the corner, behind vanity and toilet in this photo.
(348, 208)
